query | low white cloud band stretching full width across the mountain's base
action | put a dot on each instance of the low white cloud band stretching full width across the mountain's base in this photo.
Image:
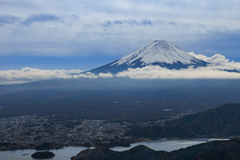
(219, 67)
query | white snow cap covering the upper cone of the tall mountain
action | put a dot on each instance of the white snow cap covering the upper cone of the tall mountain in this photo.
(159, 51)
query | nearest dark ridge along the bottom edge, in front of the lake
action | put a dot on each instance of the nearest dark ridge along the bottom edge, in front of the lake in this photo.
(219, 150)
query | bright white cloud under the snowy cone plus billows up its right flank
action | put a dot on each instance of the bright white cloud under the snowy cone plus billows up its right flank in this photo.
(218, 68)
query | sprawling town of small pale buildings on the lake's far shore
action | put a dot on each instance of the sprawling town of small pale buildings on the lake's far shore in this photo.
(27, 132)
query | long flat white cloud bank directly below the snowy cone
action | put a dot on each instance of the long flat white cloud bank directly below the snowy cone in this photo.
(156, 72)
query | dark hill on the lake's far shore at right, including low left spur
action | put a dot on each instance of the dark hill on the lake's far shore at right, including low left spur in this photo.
(217, 122)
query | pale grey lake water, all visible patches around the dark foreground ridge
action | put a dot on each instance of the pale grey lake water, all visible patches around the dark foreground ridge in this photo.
(66, 153)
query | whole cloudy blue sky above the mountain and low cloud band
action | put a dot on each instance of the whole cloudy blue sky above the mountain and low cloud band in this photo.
(84, 34)
